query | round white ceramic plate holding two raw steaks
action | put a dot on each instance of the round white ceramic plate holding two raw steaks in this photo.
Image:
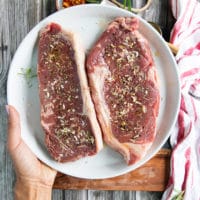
(89, 21)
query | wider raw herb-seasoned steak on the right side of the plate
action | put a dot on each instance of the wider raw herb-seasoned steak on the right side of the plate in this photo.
(124, 87)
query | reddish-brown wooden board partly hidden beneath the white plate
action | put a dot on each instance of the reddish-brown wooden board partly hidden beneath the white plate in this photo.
(152, 176)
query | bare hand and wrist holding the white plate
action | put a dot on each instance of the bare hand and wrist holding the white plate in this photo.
(34, 179)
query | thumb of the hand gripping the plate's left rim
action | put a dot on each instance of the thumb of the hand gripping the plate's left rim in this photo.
(14, 130)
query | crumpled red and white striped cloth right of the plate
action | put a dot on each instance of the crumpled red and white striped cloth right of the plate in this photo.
(185, 138)
